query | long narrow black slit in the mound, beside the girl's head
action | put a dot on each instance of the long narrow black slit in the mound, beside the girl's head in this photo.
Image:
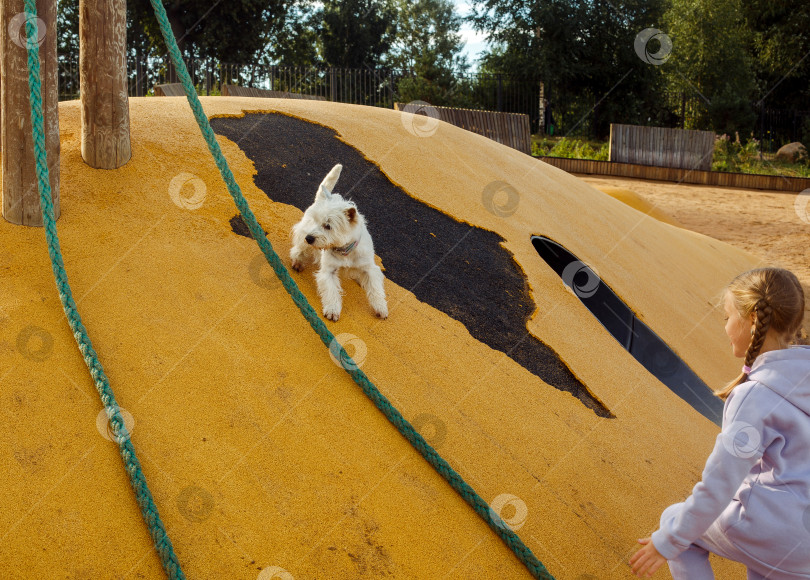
(636, 337)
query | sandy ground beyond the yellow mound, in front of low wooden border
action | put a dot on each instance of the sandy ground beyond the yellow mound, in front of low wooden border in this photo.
(774, 226)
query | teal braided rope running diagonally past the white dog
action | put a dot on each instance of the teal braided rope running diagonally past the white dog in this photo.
(405, 428)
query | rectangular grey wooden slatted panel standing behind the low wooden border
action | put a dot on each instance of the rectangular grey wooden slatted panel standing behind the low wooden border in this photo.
(661, 147)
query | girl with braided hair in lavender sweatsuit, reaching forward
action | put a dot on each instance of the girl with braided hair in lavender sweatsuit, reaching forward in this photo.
(753, 503)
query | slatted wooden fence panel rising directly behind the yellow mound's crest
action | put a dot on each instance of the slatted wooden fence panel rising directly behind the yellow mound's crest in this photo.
(510, 129)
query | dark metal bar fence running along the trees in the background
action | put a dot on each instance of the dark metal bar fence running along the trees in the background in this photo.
(489, 92)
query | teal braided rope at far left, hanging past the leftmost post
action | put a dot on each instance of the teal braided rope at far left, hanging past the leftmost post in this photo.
(133, 466)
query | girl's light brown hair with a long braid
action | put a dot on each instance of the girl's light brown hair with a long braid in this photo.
(776, 298)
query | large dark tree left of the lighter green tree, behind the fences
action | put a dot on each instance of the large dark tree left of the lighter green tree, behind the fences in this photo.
(583, 52)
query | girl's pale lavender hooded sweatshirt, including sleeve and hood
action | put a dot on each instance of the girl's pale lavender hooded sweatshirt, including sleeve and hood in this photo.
(756, 484)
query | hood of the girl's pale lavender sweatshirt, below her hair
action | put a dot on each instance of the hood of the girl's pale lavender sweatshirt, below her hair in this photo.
(787, 373)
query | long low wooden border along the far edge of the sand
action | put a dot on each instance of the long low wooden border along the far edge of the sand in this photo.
(720, 178)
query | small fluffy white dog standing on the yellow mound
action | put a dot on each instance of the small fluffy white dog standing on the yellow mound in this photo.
(333, 233)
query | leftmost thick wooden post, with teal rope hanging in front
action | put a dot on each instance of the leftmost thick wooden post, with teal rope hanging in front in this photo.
(20, 190)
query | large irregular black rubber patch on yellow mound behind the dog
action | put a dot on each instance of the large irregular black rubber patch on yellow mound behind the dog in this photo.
(456, 268)
